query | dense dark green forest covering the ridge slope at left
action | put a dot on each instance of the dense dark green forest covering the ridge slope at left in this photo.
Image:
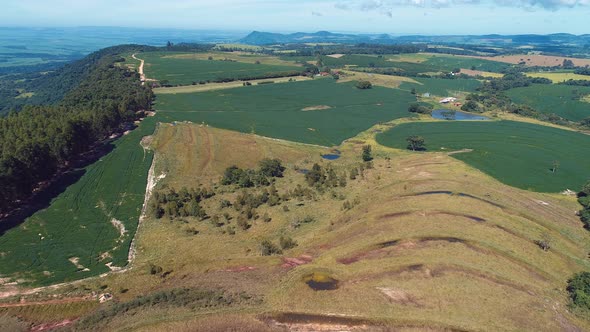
(79, 105)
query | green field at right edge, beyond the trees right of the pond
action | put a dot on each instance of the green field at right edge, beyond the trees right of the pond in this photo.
(563, 100)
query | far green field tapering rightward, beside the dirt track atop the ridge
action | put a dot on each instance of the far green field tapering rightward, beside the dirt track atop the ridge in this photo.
(184, 71)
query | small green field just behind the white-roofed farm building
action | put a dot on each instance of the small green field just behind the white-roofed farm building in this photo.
(442, 87)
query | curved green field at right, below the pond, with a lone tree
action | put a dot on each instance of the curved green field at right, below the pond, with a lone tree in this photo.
(516, 153)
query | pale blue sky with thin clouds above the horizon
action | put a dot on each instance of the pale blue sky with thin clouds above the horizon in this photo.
(381, 16)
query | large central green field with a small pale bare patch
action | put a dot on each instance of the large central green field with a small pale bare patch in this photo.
(276, 110)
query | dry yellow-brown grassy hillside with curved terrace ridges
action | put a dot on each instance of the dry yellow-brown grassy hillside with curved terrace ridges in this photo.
(428, 229)
